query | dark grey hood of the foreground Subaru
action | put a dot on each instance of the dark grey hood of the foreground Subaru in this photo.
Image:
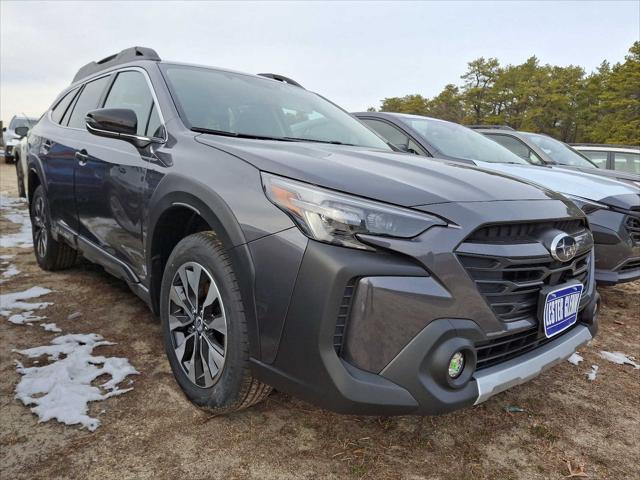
(397, 178)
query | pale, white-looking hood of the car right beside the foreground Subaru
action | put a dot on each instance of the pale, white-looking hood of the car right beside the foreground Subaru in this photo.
(568, 182)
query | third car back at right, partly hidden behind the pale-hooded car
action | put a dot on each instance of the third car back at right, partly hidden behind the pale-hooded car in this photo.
(539, 149)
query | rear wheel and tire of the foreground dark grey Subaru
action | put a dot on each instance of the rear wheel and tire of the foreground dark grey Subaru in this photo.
(50, 254)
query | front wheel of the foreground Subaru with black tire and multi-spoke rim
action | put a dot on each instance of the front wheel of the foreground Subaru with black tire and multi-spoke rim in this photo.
(208, 350)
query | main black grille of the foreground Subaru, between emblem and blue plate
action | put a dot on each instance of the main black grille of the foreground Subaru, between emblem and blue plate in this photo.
(511, 286)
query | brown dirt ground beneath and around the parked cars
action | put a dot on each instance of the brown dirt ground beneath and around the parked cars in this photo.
(154, 432)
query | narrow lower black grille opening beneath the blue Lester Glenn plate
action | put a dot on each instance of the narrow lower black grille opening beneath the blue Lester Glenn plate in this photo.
(505, 348)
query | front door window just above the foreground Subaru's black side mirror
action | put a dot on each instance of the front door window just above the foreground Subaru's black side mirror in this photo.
(130, 90)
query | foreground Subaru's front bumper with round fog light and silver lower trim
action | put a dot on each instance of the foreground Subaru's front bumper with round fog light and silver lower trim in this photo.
(406, 314)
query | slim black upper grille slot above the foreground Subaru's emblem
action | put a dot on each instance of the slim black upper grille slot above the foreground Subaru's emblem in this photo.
(514, 232)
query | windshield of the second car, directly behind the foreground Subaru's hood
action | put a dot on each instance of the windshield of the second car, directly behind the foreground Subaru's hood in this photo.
(457, 141)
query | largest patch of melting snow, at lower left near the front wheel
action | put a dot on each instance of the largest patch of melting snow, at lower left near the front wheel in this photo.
(61, 390)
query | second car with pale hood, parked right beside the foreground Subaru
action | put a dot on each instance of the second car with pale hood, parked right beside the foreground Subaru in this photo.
(613, 207)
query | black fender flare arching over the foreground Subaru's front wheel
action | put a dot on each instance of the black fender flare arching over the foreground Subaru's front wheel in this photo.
(176, 190)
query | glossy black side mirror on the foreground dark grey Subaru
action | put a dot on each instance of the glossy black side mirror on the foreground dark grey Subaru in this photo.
(120, 123)
